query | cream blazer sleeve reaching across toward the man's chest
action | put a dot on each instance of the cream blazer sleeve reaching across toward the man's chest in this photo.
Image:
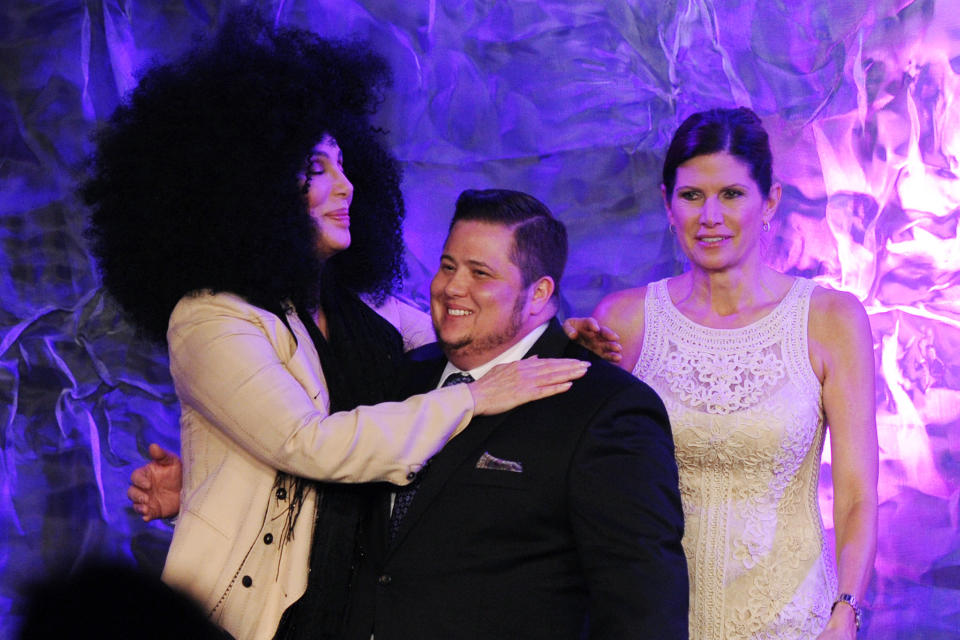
(225, 364)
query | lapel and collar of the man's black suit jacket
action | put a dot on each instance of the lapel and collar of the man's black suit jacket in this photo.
(550, 345)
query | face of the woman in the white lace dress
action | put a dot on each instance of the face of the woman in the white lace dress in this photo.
(718, 211)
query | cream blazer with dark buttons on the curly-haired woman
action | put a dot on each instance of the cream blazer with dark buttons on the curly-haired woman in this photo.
(254, 401)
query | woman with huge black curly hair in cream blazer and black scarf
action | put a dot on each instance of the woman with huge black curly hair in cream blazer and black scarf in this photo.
(224, 223)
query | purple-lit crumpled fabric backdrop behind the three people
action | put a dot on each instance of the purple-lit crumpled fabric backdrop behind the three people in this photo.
(573, 102)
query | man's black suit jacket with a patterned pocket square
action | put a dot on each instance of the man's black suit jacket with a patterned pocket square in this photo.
(583, 542)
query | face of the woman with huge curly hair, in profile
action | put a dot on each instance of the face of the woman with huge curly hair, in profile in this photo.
(329, 194)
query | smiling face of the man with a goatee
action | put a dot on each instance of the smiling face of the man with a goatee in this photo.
(478, 303)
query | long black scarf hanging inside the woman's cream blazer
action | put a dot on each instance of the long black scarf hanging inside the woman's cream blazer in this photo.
(360, 362)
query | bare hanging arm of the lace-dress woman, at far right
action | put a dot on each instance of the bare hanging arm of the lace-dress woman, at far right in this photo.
(842, 355)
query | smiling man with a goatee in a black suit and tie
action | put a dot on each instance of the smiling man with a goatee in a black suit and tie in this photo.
(559, 519)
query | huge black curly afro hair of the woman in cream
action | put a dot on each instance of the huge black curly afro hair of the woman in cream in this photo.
(195, 183)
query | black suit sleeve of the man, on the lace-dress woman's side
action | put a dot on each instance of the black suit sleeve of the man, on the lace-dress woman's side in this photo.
(628, 520)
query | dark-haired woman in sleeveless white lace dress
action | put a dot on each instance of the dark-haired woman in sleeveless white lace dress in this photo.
(753, 365)
